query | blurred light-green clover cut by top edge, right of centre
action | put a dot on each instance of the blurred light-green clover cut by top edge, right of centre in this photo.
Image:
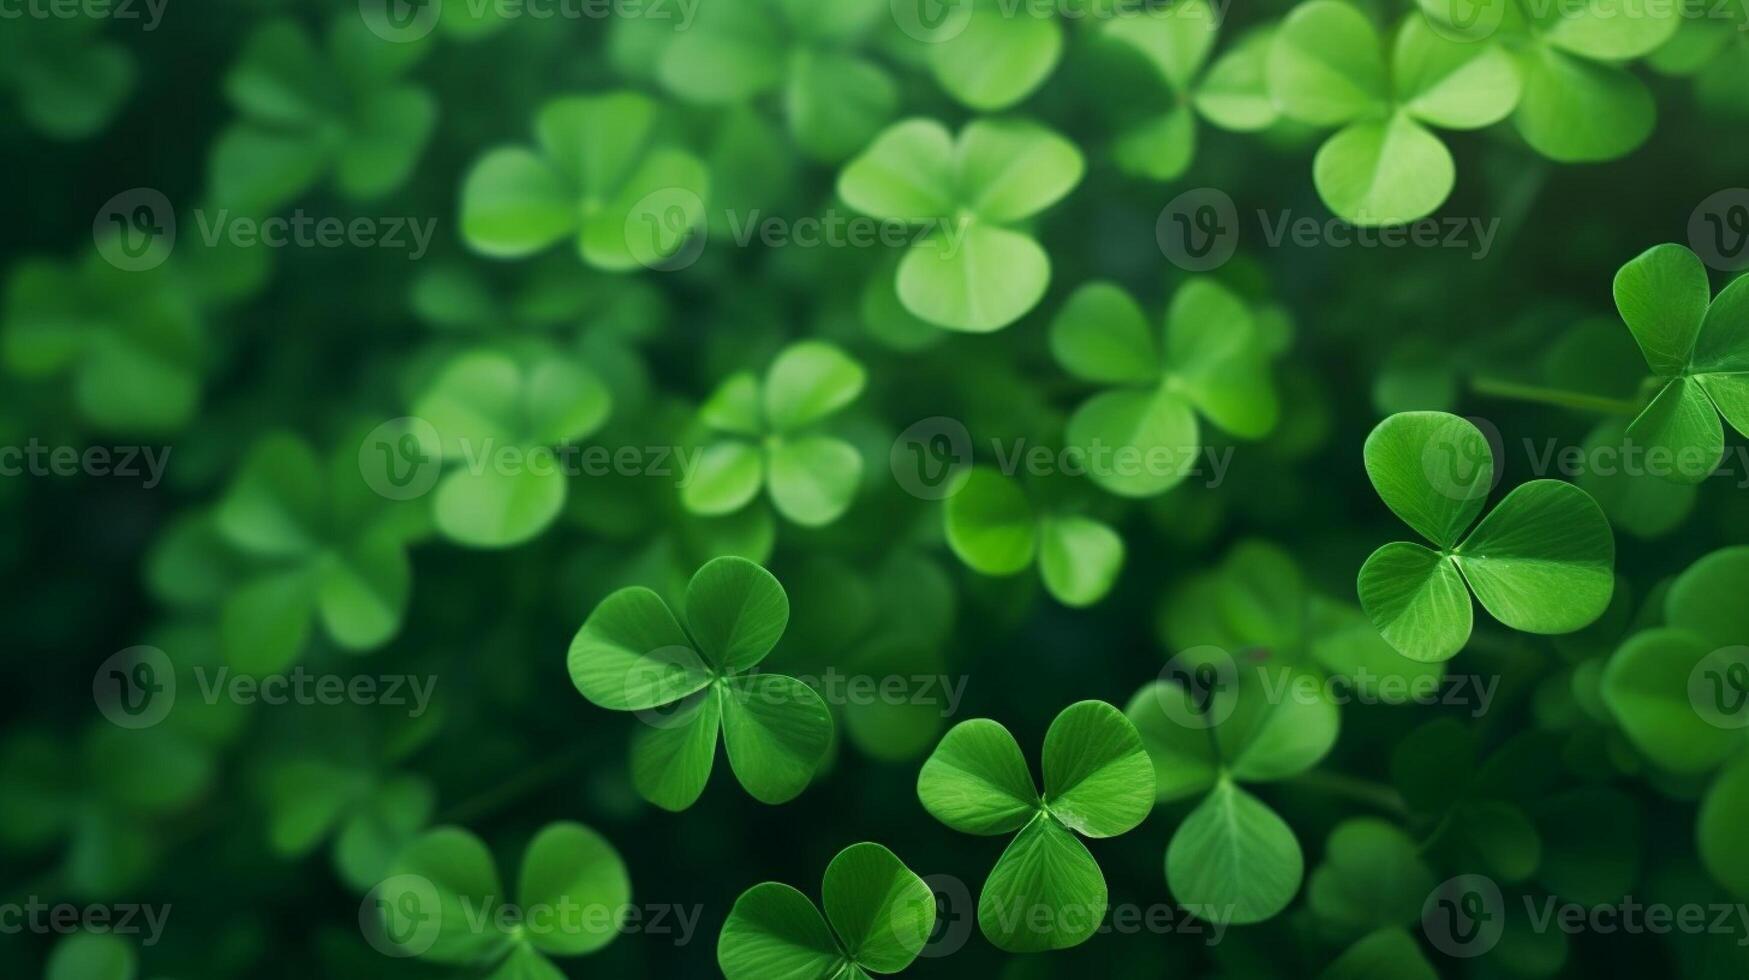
(1176, 43)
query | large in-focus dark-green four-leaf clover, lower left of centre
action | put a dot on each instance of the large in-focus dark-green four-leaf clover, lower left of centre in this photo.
(634, 655)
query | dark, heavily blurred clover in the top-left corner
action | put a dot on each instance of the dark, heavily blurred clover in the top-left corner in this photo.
(69, 81)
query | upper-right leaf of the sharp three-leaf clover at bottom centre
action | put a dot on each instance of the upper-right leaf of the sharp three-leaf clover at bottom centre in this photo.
(1097, 778)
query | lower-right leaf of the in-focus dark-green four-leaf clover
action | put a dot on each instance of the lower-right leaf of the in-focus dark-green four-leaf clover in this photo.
(776, 731)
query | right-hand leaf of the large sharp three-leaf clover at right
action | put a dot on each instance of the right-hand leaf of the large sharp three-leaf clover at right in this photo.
(1545, 561)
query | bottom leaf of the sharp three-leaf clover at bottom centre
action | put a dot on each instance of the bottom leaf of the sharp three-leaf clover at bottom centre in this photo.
(1045, 893)
